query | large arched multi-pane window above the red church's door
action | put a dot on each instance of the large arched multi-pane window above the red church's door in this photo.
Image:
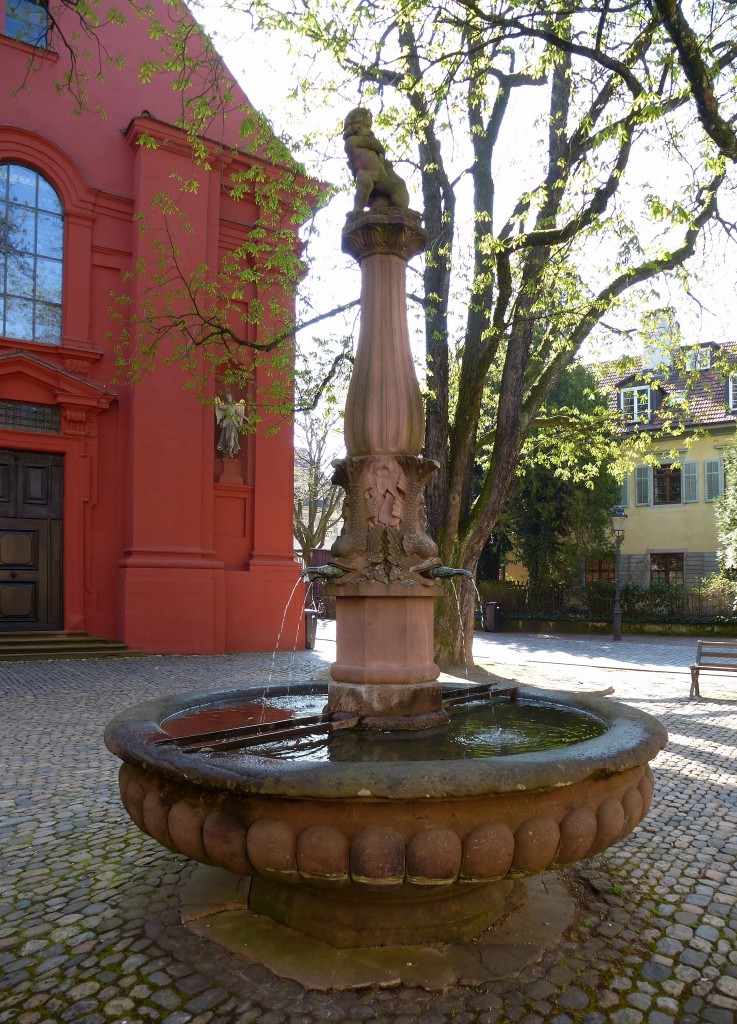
(31, 257)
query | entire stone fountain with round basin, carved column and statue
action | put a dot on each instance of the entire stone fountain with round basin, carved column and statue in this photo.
(365, 820)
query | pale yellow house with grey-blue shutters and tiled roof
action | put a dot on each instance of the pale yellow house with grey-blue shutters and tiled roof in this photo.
(671, 532)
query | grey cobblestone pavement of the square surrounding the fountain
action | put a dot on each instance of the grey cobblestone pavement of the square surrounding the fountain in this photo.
(90, 927)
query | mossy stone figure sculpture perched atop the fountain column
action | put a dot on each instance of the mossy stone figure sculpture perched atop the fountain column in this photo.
(375, 178)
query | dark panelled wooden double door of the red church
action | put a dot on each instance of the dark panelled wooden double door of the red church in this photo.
(31, 500)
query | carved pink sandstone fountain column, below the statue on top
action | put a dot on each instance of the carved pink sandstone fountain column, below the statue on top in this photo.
(384, 671)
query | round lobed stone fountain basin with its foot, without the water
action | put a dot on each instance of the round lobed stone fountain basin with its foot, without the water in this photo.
(385, 852)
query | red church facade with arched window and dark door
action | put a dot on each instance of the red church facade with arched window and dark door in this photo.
(118, 515)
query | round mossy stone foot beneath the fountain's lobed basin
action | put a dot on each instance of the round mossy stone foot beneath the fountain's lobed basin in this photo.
(349, 919)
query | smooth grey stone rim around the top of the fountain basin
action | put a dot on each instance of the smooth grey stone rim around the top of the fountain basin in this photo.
(633, 738)
